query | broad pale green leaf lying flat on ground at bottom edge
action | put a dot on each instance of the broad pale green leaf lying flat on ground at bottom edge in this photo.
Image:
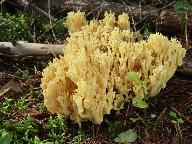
(126, 137)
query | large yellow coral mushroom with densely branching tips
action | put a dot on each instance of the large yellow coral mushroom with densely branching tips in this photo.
(90, 79)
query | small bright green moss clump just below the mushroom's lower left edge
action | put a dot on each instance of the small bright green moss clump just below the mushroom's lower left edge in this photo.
(56, 128)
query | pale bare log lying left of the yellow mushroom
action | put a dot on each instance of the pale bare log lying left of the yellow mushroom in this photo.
(22, 48)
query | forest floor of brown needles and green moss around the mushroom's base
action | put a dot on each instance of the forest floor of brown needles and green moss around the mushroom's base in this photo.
(25, 119)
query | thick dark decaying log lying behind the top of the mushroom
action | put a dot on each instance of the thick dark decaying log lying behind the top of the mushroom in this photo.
(162, 19)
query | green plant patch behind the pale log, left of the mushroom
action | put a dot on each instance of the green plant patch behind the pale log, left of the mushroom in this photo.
(31, 27)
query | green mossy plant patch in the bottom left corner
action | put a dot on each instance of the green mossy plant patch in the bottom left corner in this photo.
(25, 131)
